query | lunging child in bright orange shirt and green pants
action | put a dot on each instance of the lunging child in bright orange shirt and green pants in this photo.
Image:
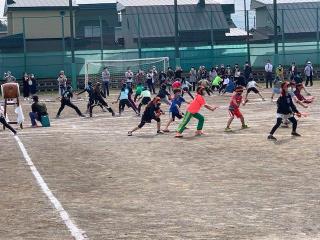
(193, 111)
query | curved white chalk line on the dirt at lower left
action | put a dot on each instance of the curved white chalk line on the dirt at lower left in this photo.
(76, 232)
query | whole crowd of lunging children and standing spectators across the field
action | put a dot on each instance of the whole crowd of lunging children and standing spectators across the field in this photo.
(137, 90)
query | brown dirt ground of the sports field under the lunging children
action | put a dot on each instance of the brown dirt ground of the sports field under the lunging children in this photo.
(219, 186)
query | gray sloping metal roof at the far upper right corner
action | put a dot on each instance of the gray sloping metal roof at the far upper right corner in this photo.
(299, 16)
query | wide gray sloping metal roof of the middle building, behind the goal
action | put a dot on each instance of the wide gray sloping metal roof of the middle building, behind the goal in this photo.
(158, 21)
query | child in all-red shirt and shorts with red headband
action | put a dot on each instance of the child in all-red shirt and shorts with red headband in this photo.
(234, 108)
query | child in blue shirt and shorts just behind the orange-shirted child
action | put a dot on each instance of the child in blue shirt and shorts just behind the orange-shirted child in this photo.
(174, 110)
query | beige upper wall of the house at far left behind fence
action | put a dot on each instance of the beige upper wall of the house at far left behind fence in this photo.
(39, 24)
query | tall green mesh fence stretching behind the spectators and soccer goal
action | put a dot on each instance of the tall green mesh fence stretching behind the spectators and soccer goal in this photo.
(41, 44)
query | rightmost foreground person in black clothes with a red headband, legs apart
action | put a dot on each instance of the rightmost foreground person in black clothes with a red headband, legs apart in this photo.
(285, 109)
